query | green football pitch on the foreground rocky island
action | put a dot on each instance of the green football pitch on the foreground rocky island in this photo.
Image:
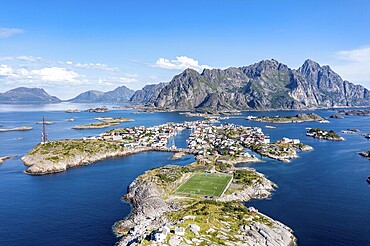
(205, 184)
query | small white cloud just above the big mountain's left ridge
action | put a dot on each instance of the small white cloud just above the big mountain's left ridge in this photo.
(181, 63)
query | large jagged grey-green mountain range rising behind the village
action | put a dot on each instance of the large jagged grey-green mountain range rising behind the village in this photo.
(264, 85)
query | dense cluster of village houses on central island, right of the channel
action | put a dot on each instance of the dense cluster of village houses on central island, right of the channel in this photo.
(225, 138)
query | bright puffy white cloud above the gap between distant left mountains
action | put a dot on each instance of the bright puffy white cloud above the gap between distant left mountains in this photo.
(56, 74)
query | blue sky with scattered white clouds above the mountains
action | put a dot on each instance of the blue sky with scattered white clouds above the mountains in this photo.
(68, 47)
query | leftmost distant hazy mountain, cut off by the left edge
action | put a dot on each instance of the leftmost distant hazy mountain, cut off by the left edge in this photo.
(27, 95)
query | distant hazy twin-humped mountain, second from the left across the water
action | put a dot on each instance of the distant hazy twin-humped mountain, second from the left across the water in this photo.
(119, 95)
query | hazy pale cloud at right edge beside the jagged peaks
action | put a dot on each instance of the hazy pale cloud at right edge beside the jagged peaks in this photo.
(353, 65)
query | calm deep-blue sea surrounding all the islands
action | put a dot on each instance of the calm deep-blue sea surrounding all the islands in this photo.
(322, 196)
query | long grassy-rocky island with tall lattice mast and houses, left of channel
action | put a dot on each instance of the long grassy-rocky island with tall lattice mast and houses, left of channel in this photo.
(58, 156)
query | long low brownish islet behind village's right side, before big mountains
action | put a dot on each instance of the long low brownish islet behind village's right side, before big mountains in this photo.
(288, 119)
